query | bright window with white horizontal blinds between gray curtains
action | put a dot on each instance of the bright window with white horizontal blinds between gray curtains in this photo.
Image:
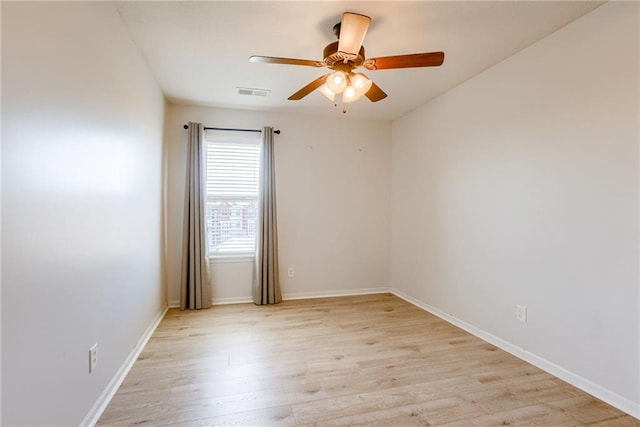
(232, 193)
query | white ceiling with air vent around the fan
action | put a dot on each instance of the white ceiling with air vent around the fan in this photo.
(199, 51)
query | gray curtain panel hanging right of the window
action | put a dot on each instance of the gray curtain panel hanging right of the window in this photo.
(266, 275)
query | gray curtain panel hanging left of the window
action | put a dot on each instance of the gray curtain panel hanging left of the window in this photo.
(195, 288)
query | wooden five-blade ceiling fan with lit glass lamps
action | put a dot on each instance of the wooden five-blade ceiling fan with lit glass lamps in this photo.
(347, 54)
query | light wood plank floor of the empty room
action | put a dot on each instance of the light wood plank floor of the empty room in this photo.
(368, 360)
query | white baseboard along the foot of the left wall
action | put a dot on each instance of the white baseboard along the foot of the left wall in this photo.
(101, 404)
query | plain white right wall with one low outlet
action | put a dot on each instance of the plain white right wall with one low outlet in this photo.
(521, 187)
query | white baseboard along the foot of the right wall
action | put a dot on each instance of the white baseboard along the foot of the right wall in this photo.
(614, 399)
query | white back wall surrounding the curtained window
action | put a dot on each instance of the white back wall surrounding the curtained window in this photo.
(333, 191)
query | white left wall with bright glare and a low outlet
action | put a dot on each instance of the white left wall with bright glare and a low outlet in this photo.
(81, 202)
